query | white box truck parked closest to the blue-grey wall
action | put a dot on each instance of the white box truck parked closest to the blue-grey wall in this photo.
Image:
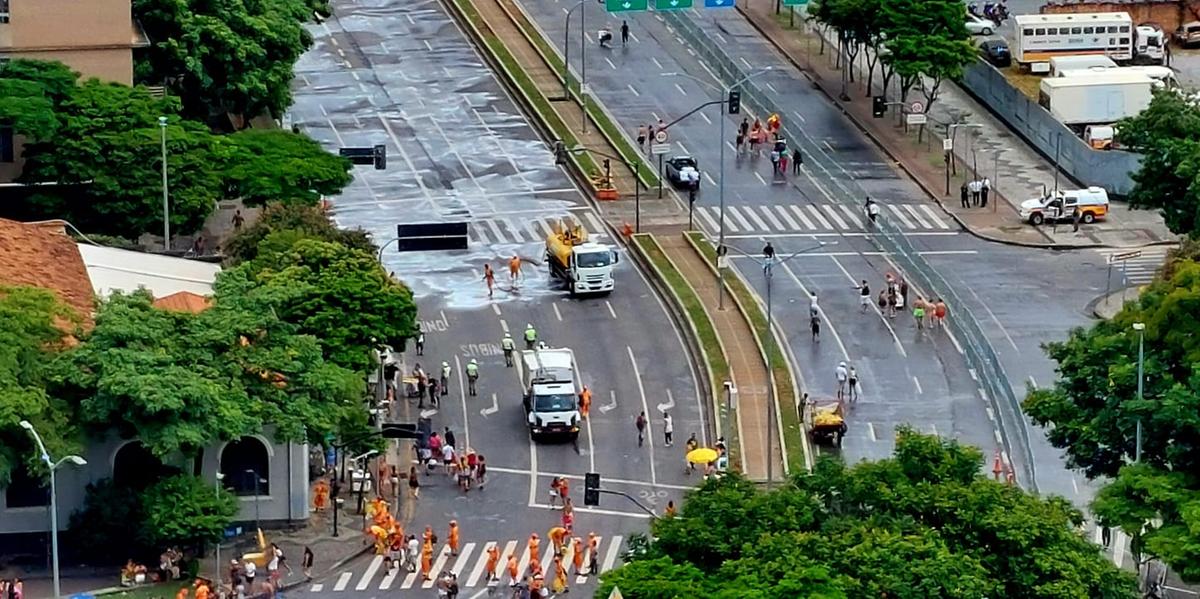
(1097, 100)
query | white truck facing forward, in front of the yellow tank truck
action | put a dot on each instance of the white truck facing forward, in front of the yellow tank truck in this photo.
(551, 393)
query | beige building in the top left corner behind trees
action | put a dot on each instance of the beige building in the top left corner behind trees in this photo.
(94, 38)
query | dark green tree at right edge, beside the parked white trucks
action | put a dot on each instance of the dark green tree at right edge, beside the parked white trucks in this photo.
(1168, 136)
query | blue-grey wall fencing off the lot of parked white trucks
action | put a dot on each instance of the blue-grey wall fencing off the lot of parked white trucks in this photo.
(1109, 170)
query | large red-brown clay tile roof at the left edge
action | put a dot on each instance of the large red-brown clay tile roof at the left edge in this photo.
(41, 255)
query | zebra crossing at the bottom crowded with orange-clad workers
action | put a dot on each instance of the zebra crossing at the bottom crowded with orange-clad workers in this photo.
(469, 565)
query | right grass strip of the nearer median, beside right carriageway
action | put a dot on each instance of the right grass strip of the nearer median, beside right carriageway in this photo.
(794, 430)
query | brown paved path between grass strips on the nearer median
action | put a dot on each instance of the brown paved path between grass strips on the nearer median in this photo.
(747, 366)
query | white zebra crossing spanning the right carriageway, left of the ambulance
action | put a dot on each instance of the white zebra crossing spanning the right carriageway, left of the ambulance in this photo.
(807, 218)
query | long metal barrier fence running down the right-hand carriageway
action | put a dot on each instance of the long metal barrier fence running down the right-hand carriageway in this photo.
(981, 356)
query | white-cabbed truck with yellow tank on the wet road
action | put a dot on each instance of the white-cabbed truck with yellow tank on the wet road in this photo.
(585, 266)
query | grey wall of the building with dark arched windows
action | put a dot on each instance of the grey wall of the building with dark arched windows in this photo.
(287, 500)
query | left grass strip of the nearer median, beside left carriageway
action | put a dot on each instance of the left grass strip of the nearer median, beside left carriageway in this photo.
(706, 334)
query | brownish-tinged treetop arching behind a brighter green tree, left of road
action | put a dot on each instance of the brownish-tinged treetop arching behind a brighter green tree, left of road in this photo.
(302, 221)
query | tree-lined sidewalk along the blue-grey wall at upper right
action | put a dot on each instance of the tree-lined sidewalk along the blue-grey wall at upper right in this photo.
(1016, 170)
